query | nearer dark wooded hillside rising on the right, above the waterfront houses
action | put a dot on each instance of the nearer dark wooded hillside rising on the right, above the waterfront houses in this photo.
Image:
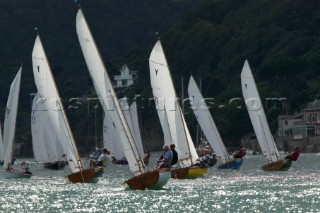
(280, 40)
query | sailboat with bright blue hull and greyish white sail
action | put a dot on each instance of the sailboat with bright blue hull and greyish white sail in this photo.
(209, 128)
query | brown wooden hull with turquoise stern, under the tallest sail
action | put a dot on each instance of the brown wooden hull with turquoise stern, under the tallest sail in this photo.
(152, 180)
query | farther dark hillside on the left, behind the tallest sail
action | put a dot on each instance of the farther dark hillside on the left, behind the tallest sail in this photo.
(117, 25)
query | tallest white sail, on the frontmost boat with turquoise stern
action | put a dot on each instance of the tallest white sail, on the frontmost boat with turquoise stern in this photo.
(106, 94)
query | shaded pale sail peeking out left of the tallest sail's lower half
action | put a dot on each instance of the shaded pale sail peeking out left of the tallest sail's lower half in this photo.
(111, 138)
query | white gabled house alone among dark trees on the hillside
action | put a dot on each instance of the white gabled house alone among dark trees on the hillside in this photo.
(126, 77)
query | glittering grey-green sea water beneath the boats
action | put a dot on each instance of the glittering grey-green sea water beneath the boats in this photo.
(246, 190)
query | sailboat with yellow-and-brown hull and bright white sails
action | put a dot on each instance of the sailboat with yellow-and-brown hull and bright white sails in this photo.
(171, 118)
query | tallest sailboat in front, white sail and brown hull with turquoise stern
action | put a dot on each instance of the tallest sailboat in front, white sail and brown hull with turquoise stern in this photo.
(142, 178)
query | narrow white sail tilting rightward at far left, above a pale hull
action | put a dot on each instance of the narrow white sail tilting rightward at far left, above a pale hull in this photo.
(10, 119)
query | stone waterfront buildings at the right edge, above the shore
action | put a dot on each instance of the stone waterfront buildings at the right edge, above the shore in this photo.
(302, 125)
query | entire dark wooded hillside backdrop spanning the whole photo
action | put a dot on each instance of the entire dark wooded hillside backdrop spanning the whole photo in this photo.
(209, 39)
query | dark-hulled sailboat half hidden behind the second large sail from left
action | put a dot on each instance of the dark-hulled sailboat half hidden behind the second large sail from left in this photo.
(46, 147)
